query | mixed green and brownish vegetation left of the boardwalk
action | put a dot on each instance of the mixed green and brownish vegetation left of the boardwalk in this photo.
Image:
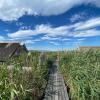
(24, 79)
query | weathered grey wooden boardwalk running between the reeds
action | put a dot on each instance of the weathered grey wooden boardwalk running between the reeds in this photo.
(56, 89)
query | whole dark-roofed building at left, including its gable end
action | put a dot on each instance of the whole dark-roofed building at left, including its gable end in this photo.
(8, 50)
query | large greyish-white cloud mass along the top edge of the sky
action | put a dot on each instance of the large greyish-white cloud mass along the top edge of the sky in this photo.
(14, 9)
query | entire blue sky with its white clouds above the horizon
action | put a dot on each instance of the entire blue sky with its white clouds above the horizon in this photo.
(50, 24)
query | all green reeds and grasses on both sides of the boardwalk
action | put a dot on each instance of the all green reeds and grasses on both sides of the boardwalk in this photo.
(28, 77)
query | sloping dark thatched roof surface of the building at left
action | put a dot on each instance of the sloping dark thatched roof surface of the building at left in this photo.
(7, 50)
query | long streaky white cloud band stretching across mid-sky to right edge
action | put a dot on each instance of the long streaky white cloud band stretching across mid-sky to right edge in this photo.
(80, 29)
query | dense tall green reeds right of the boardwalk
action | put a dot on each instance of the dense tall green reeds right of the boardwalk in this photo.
(81, 71)
